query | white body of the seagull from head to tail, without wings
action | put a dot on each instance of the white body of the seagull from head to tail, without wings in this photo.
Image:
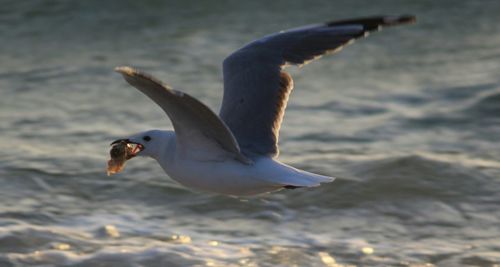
(224, 176)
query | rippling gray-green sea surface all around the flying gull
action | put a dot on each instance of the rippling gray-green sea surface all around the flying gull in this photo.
(408, 119)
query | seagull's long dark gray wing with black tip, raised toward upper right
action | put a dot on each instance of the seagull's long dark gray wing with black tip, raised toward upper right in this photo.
(256, 89)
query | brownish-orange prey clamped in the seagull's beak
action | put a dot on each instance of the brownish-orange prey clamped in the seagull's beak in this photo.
(121, 151)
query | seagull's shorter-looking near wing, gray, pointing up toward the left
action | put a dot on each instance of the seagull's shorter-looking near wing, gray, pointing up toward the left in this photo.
(199, 131)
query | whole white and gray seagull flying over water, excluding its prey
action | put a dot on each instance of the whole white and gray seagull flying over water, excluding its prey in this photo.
(235, 153)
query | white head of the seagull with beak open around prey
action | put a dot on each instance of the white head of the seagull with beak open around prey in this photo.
(146, 144)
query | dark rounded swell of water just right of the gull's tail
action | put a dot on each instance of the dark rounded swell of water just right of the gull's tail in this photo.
(404, 178)
